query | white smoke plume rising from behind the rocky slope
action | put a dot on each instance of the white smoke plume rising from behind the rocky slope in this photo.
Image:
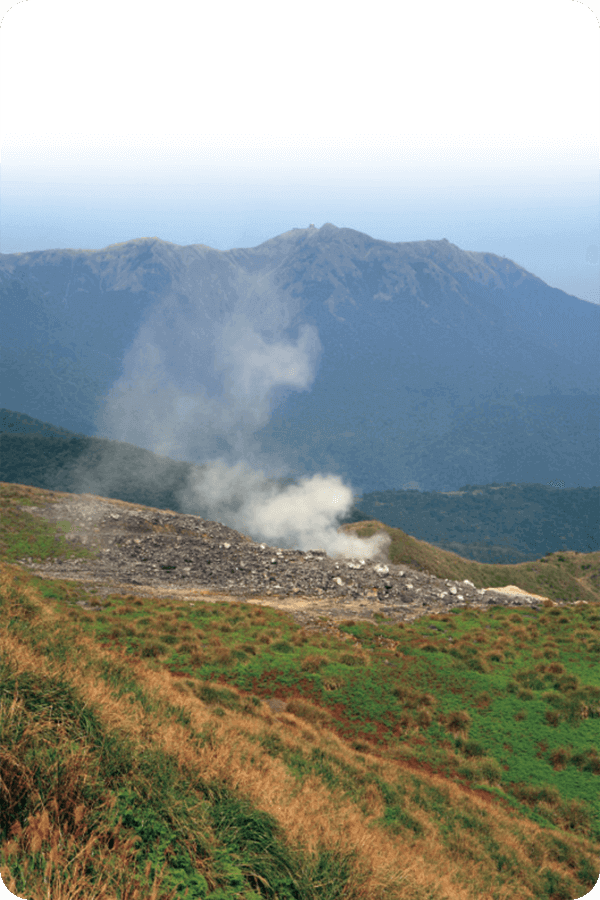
(199, 379)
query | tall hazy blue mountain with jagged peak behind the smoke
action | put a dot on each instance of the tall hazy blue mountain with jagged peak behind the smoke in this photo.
(435, 367)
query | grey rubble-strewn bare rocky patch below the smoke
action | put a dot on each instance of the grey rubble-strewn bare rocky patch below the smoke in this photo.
(138, 548)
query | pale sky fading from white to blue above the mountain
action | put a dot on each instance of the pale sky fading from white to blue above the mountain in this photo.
(227, 124)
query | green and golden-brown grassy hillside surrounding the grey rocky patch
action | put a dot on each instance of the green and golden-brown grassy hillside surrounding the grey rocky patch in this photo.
(451, 759)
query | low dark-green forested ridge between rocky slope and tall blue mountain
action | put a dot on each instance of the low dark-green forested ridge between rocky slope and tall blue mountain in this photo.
(506, 524)
